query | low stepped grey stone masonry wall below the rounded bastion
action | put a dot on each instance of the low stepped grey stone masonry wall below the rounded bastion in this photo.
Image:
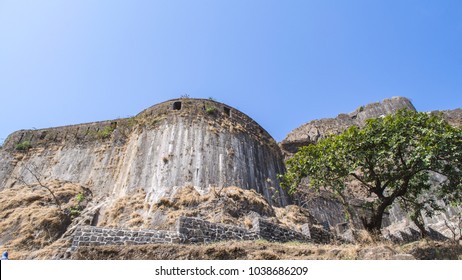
(194, 230)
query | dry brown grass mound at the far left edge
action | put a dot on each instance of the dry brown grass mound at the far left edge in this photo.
(29, 218)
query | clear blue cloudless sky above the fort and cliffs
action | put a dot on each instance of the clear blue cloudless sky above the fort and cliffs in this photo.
(282, 62)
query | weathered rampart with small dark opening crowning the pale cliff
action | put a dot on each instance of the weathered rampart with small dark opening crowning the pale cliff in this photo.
(118, 130)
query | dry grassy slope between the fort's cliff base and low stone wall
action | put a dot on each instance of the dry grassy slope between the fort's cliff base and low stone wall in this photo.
(33, 227)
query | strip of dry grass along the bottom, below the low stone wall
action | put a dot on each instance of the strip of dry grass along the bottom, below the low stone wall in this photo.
(262, 250)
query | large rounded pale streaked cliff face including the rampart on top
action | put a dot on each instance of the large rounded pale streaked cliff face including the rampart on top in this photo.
(201, 143)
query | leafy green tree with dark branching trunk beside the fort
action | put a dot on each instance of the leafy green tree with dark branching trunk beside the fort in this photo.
(391, 158)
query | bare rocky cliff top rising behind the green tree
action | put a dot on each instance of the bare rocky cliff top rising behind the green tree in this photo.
(316, 130)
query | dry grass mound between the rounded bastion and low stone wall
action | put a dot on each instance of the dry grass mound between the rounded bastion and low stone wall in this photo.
(229, 205)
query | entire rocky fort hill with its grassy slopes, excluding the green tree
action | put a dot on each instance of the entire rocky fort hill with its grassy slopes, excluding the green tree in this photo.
(199, 159)
